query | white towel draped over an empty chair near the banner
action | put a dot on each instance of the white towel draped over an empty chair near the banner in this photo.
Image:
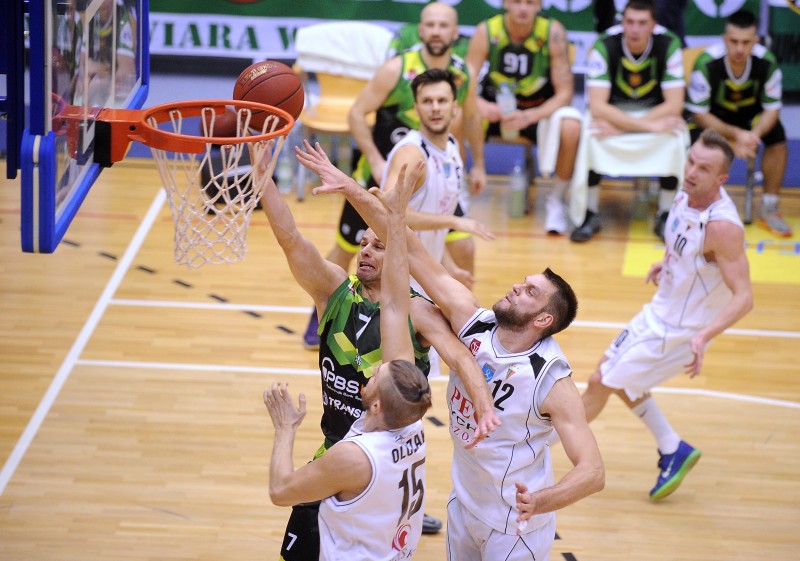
(347, 48)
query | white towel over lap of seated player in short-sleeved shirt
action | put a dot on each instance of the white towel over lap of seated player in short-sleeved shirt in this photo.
(636, 154)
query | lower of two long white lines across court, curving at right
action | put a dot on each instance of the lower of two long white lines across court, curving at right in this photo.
(315, 372)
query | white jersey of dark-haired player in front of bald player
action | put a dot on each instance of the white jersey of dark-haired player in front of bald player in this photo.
(440, 192)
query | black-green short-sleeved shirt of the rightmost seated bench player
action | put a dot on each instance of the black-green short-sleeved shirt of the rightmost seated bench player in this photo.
(734, 99)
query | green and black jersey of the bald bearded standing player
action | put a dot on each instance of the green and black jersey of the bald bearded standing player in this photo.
(397, 115)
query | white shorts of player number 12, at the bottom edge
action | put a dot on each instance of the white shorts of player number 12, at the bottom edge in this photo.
(469, 539)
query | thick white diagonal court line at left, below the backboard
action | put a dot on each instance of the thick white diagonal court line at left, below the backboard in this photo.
(80, 342)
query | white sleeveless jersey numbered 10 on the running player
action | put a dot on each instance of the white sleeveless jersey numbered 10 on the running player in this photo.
(691, 291)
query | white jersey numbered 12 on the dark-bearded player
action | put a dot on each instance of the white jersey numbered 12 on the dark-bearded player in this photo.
(484, 476)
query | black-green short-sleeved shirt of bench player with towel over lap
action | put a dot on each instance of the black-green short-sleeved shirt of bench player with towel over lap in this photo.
(636, 82)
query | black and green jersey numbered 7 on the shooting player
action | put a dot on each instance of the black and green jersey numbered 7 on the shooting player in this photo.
(349, 354)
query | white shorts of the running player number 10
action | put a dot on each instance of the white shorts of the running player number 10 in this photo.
(645, 354)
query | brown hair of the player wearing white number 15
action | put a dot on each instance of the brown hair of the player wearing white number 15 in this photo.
(404, 393)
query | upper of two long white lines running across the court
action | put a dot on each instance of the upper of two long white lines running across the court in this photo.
(304, 311)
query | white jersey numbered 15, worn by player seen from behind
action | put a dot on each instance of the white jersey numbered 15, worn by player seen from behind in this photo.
(383, 523)
